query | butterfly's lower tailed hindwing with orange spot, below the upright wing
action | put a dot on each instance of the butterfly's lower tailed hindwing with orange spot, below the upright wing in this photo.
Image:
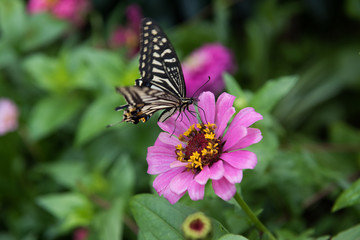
(143, 102)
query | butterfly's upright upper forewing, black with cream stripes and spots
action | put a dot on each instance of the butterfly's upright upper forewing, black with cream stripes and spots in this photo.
(159, 67)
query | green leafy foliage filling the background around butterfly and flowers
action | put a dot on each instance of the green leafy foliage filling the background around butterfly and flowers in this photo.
(298, 65)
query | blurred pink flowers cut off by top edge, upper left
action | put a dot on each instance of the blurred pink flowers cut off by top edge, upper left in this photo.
(71, 10)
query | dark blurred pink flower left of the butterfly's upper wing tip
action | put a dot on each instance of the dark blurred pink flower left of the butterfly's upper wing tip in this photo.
(128, 36)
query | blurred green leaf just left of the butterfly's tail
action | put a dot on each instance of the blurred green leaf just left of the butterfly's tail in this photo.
(97, 116)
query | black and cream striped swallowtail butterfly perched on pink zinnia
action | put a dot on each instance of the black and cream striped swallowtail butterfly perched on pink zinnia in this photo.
(161, 86)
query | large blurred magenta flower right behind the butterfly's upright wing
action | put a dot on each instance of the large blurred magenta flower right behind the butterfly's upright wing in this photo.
(211, 60)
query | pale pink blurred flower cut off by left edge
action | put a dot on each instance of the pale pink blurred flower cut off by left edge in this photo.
(8, 116)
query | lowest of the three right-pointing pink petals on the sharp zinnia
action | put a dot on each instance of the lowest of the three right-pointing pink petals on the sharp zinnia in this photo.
(241, 159)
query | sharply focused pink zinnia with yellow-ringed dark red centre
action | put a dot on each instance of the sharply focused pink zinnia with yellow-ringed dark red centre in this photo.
(191, 152)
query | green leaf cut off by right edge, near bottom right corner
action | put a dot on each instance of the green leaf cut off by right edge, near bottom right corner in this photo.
(349, 197)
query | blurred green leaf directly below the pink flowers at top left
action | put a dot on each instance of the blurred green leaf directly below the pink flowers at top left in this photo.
(42, 29)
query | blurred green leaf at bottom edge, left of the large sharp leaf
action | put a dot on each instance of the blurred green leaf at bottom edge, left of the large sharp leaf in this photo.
(108, 225)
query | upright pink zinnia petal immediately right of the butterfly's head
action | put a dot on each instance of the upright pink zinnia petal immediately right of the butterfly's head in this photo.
(207, 107)
